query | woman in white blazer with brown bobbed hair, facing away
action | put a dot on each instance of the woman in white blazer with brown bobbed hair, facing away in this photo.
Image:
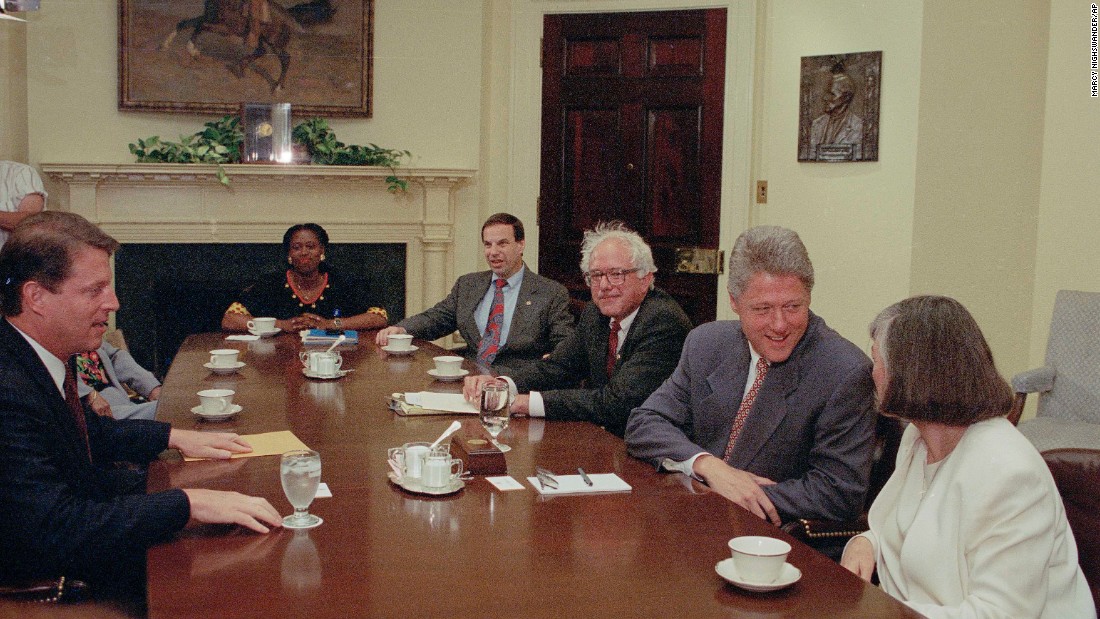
(971, 524)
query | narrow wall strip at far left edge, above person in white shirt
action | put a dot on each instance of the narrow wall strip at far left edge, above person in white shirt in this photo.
(14, 92)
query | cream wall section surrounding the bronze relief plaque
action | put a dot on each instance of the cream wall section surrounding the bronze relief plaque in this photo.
(855, 218)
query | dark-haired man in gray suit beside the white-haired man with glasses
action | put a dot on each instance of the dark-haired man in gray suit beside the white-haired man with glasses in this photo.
(509, 316)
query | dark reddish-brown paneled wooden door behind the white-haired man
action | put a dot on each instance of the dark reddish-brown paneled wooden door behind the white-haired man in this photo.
(632, 130)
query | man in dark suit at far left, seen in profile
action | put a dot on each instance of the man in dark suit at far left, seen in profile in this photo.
(70, 511)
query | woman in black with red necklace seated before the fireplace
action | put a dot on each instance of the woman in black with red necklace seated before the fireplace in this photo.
(309, 295)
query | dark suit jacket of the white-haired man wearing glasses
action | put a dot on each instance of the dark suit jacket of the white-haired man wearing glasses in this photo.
(577, 374)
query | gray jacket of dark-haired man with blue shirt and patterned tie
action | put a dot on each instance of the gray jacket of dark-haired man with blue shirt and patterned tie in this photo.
(542, 319)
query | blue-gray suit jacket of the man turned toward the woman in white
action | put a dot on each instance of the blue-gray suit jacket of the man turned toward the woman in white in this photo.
(811, 429)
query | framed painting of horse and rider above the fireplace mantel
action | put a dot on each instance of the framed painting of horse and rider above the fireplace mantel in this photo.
(210, 57)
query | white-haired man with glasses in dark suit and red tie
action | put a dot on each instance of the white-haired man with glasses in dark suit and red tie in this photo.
(592, 377)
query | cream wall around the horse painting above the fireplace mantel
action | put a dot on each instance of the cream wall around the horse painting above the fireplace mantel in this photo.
(427, 93)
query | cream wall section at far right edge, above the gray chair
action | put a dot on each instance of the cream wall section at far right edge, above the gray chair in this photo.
(1069, 246)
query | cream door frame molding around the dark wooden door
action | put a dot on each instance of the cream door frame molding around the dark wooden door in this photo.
(525, 102)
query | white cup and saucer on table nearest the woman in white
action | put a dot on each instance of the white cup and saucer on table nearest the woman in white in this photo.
(758, 563)
